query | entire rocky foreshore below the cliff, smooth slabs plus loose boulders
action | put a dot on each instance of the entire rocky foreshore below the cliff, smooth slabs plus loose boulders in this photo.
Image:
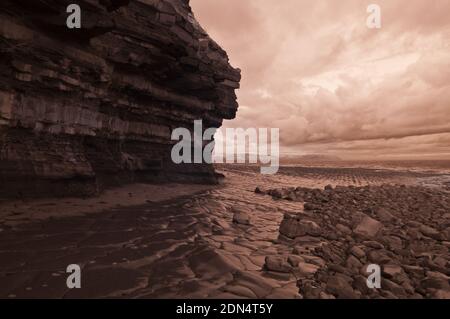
(228, 241)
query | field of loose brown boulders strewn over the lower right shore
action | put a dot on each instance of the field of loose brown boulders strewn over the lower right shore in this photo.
(403, 229)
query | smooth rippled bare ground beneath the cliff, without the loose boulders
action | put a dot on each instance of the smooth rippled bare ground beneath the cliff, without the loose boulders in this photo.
(200, 242)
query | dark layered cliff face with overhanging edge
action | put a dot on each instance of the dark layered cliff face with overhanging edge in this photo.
(81, 109)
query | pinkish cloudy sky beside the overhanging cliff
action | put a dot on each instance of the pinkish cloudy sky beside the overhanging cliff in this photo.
(332, 85)
